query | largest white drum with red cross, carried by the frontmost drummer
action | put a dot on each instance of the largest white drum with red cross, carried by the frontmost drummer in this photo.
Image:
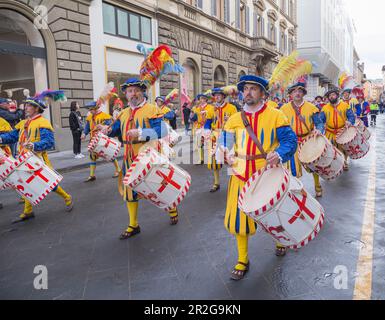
(281, 206)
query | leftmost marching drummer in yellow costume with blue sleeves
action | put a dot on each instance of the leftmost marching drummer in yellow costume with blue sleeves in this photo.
(35, 134)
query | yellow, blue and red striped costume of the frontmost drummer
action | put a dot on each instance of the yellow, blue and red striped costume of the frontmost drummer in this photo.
(273, 131)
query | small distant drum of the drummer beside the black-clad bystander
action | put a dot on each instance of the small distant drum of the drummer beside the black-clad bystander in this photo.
(104, 147)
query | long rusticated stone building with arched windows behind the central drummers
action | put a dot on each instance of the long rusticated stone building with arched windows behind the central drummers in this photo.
(218, 41)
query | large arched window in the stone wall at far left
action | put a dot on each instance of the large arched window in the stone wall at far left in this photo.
(23, 57)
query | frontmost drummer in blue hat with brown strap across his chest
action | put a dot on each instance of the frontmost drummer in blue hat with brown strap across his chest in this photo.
(260, 136)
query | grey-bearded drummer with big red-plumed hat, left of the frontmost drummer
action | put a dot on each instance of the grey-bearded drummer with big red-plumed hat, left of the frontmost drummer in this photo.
(139, 124)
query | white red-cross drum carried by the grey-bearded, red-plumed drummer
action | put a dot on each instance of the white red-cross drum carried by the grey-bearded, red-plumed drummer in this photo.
(157, 179)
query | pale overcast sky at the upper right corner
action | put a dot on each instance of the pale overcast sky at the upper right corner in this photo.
(369, 19)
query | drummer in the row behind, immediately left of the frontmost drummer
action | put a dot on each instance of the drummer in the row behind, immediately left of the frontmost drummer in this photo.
(223, 111)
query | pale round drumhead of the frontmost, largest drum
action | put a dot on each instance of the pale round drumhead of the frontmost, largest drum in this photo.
(260, 192)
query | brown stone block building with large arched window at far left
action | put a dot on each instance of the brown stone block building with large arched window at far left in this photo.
(51, 40)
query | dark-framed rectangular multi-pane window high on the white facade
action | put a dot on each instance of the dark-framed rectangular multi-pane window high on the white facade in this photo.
(126, 24)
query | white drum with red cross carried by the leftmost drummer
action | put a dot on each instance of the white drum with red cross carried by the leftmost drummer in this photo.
(30, 177)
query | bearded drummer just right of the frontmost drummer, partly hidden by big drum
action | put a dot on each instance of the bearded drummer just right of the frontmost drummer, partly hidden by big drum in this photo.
(303, 117)
